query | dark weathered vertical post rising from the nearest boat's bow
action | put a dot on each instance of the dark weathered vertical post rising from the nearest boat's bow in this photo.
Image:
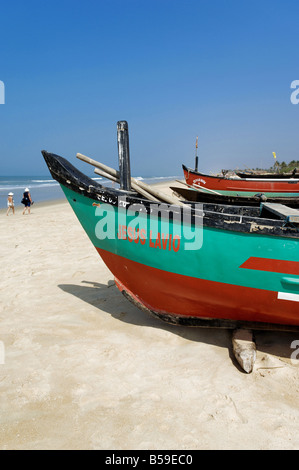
(124, 155)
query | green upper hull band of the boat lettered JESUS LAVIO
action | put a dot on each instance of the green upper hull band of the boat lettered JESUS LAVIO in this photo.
(219, 258)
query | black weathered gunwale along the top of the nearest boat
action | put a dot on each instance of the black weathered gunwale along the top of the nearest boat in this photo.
(217, 217)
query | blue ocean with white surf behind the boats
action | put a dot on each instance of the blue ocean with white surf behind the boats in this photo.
(44, 188)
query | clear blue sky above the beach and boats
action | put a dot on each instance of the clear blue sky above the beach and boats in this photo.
(220, 70)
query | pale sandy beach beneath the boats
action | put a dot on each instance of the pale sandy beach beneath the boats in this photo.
(83, 368)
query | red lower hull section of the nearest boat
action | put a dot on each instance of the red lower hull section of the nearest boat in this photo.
(170, 294)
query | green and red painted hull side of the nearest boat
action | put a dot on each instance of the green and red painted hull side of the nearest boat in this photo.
(233, 276)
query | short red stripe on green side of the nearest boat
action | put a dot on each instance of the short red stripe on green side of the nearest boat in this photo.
(272, 265)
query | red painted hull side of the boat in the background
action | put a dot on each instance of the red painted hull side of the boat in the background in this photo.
(238, 185)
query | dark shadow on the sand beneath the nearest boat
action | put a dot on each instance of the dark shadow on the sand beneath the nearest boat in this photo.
(107, 297)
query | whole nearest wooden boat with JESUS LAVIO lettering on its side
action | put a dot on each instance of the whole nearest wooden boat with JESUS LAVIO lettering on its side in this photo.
(191, 264)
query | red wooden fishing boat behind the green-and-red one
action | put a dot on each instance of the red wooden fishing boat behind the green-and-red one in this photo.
(232, 186)
